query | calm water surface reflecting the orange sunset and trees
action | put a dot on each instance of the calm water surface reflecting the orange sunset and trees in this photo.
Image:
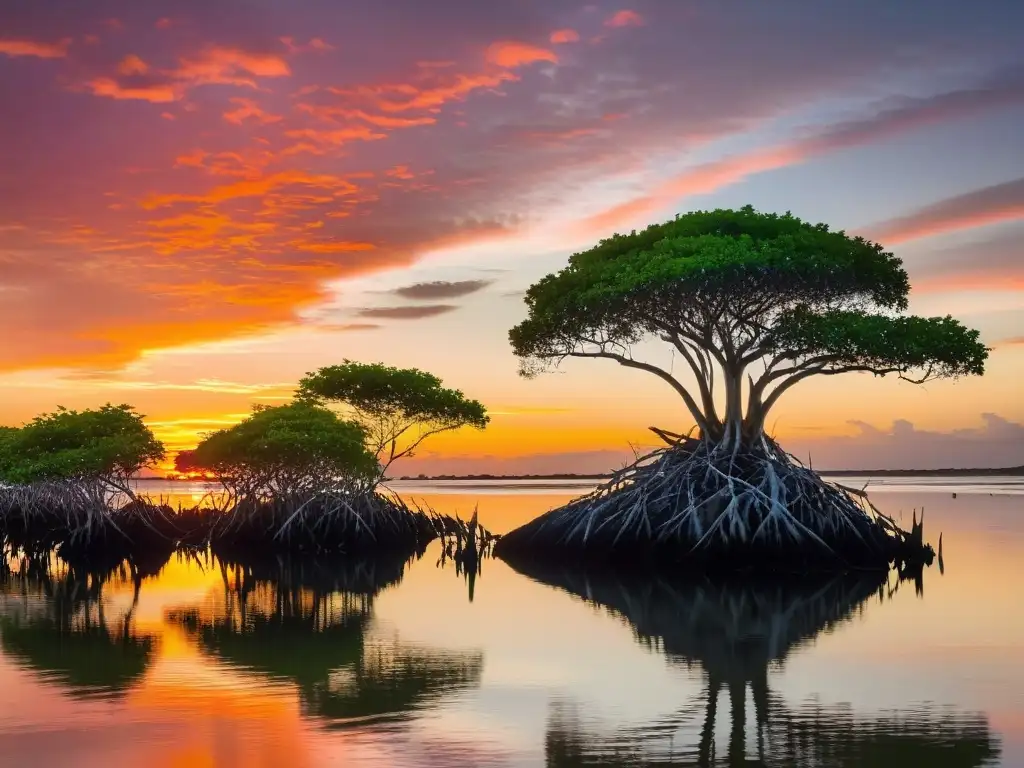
(396, 666)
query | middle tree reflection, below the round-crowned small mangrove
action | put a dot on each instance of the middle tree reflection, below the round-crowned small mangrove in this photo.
(311, 624)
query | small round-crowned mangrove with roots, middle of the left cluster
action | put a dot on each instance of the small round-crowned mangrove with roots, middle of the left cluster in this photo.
(300, 478)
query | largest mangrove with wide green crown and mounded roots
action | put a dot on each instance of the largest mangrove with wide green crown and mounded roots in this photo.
(749, 306)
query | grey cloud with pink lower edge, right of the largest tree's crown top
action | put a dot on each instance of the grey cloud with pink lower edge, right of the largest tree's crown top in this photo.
(979, 208)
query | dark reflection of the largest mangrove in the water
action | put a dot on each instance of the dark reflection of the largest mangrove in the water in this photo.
(735, 632)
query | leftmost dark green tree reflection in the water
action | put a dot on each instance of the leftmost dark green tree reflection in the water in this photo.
(55, 620)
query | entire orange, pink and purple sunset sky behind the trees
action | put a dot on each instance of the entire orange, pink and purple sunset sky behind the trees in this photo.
(202, 201)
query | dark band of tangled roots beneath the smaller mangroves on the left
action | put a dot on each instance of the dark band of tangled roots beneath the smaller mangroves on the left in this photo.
(86, 525)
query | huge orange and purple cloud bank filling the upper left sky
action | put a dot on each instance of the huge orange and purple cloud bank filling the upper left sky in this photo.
(187, 179)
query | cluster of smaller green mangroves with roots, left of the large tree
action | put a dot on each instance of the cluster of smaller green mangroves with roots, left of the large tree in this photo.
(295, 480)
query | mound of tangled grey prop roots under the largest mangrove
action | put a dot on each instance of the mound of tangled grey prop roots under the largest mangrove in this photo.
(706, 507)
